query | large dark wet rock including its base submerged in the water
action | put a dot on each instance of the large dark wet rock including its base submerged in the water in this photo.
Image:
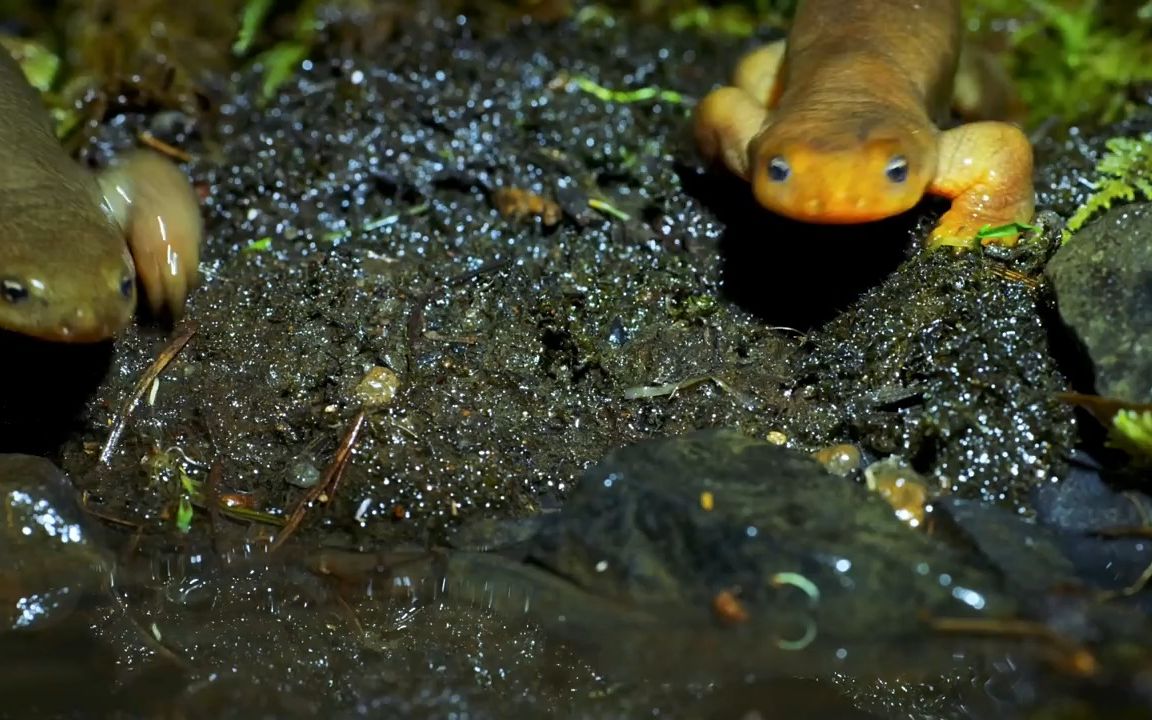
(738, 552)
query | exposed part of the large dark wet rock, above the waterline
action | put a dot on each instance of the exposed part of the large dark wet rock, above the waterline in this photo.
(638, 529)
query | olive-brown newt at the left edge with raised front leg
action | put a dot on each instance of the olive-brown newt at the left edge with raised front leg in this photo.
(75, 246)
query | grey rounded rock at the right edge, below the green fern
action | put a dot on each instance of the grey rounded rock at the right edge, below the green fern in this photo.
(1103, 282)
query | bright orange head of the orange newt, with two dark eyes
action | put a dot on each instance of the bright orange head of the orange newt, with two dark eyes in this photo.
(840, 180)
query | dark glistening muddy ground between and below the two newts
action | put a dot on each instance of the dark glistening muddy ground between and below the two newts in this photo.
(354, 224)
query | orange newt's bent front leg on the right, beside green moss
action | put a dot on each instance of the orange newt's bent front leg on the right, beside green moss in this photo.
(987, 170)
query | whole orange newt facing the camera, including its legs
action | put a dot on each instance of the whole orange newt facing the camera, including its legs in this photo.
(839, 124)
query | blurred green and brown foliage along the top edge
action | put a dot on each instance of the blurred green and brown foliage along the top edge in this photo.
(1075, 62)
